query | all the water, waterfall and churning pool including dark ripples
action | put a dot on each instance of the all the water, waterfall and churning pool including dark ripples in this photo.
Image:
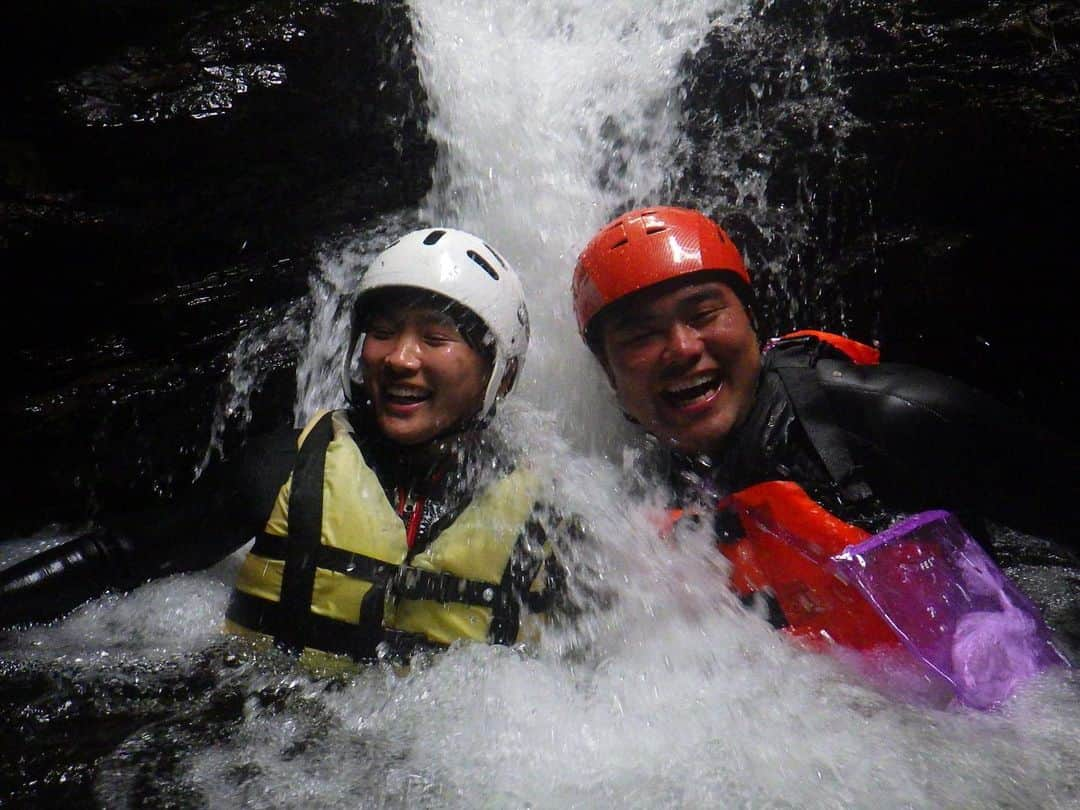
(547, 118)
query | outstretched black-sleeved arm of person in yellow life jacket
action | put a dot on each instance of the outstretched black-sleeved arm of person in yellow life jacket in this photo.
(200, 528)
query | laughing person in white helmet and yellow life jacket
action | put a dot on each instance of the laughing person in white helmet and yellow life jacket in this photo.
(396, 524)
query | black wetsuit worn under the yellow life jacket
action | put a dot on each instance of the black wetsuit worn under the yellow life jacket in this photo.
(229, 505)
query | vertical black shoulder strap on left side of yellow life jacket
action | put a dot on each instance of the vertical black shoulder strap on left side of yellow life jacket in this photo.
(305, 538)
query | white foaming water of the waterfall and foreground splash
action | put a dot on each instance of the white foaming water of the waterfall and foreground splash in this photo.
(549, 118)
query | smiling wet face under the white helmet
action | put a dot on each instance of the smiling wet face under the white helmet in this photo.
(422, 376)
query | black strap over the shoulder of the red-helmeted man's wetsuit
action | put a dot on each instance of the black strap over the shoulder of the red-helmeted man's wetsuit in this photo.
(794, 360)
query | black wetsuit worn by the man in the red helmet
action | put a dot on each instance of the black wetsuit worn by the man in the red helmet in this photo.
(871, 442)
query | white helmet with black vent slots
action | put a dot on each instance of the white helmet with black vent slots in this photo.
(465, 269)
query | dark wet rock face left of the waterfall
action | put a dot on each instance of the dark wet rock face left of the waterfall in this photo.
(167, 172)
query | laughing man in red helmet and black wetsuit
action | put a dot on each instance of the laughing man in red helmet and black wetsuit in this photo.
(813, 440)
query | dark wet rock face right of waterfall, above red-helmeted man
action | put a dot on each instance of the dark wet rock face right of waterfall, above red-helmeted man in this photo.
(920, 158)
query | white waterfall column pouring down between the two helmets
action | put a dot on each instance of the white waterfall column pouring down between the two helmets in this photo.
(550, 118)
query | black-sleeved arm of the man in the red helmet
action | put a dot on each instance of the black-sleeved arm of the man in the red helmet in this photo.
(929, 441)
